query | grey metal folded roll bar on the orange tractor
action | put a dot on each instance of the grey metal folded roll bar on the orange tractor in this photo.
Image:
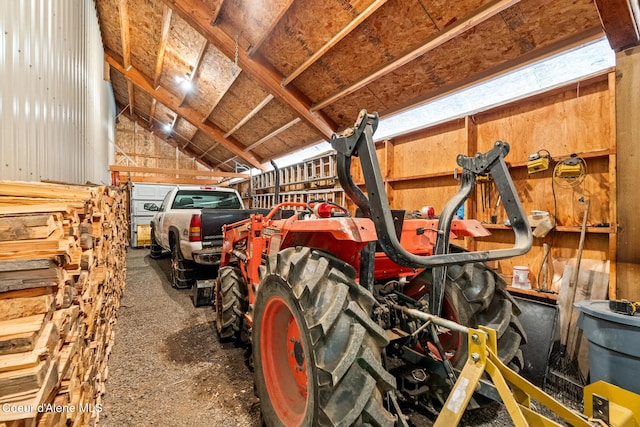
(358, 141)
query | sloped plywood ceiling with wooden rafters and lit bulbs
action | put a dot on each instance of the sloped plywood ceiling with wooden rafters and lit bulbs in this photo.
(245, 81)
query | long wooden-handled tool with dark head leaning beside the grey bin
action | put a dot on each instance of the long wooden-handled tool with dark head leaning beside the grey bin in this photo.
(562, 376)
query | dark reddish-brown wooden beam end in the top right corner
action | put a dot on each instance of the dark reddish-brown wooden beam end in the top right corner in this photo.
(619, 22)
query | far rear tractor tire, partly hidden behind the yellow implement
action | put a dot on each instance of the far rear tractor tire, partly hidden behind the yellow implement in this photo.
(475, 295)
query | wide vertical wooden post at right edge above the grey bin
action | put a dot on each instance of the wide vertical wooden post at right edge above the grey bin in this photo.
(628, 153)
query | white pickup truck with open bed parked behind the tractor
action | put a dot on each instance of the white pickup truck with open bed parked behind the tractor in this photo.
(189, 225)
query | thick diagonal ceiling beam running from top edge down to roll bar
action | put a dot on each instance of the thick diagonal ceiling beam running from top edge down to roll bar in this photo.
(197, 14)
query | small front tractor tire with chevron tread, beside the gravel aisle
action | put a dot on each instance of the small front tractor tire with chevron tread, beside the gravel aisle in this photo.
(230, 303)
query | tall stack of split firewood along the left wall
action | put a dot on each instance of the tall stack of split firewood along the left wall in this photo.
(62, 272)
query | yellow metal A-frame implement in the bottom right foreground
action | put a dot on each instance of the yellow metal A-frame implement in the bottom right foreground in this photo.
(614, 406)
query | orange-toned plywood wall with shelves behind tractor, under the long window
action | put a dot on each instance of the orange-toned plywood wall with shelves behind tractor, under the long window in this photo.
(419, 168)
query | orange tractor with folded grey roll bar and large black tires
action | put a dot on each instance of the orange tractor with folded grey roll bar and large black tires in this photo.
(327, 300)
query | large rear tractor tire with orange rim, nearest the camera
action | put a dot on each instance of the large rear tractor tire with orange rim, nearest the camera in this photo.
(316, 351)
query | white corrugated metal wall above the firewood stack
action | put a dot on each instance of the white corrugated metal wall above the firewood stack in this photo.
(57, 112)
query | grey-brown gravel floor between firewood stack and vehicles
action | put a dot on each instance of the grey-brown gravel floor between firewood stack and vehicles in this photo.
(167, 367)
